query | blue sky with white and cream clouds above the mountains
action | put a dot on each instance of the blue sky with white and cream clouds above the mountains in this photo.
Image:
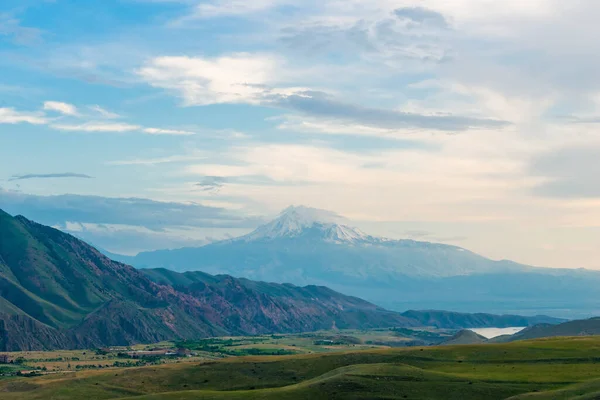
(144, 124)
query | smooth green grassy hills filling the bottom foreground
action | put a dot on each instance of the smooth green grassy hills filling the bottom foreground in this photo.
(455, 372)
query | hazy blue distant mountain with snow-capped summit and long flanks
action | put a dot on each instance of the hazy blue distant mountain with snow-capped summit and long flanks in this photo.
(308, 246)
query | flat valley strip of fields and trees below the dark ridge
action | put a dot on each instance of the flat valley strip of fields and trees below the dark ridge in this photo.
(211, 349)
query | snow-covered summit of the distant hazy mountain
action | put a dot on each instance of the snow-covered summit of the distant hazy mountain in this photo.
(299, 221)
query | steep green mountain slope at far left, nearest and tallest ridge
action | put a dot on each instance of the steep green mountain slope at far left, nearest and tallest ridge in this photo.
(52, 284)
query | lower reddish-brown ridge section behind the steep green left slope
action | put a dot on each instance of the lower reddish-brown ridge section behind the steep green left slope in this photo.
(258, 307)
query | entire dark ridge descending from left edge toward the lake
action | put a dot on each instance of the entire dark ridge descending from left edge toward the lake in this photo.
(58, 292)
